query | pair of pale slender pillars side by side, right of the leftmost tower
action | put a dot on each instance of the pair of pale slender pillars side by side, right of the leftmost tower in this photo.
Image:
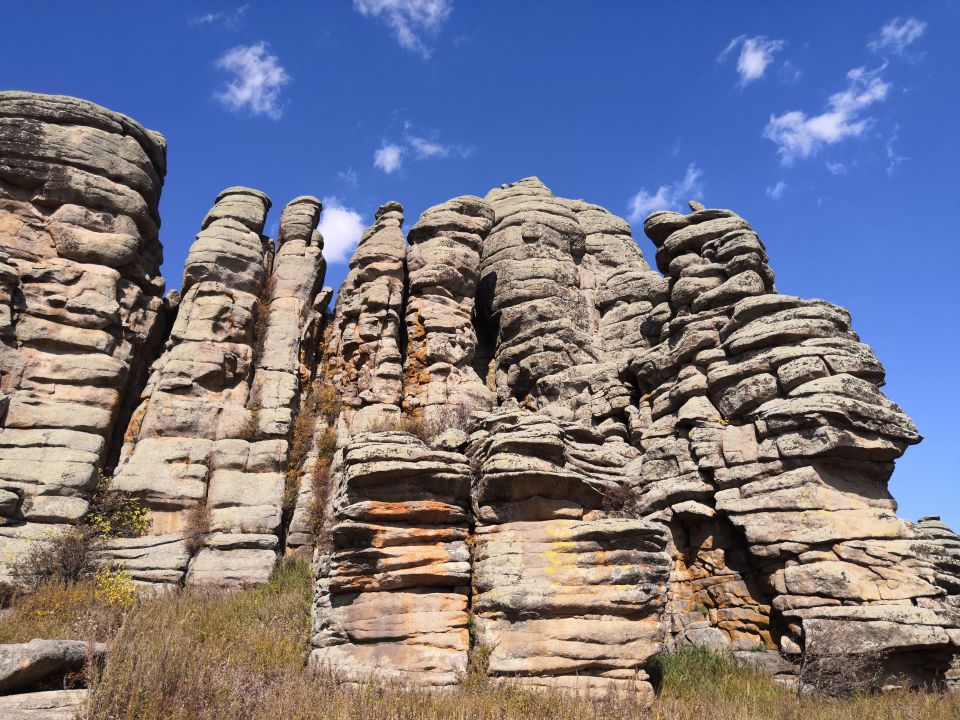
(208, 450)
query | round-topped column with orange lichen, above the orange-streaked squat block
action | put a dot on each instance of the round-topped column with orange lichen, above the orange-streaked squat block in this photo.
(443, 263)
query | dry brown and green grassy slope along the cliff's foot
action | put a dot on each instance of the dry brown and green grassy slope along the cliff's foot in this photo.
(197, 655)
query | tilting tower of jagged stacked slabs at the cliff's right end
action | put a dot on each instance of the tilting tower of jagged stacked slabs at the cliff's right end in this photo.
(766, 412)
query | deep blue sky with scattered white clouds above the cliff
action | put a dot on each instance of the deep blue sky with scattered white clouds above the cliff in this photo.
(832, 127)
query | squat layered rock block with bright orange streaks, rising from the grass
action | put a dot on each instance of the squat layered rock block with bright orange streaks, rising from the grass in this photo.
(393, 577)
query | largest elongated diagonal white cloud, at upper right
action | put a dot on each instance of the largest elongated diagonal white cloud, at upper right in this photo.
(798, 135)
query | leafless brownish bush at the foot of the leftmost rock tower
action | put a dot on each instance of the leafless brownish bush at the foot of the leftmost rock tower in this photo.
(66, 557)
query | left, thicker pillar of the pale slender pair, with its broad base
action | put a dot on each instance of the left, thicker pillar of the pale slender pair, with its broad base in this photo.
(192, 443)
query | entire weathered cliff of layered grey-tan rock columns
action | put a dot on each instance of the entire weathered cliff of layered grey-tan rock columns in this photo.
(513, 445)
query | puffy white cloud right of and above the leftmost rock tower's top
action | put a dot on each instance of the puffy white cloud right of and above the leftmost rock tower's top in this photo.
(258, 79)
